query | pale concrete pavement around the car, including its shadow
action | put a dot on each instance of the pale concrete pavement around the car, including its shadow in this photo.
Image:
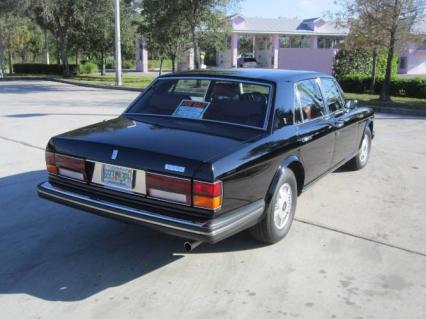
(357, 249)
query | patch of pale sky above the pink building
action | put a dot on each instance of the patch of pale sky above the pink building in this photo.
(286, 8)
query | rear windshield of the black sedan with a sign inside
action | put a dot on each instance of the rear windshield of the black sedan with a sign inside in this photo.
(234, 102)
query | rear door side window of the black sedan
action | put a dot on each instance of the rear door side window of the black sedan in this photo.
(310, 98)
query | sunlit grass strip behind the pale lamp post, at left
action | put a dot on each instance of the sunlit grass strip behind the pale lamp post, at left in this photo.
(129, 80)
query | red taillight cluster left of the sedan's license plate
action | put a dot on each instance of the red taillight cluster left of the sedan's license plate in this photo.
(67, 166)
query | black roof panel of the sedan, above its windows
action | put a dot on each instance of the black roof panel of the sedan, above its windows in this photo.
(271, 75)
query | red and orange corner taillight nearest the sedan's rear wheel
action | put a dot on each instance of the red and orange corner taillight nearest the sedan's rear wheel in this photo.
(207, 195)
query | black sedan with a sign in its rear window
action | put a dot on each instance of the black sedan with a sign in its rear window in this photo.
(206, 154)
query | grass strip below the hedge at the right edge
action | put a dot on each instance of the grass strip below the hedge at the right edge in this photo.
(401, 102)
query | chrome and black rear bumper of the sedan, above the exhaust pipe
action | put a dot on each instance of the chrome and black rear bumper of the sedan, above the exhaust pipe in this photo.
(209, 230)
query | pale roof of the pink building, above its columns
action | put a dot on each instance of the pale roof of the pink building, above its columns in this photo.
(317, 26)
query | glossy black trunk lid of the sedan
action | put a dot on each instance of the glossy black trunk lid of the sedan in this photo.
(150, 143)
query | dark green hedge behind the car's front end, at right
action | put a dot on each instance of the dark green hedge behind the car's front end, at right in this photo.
(414, 87)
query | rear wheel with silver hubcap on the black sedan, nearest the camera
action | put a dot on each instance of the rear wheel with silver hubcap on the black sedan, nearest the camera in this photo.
(279, 212)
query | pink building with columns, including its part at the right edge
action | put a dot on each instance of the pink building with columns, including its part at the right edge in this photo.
(309, 44)
